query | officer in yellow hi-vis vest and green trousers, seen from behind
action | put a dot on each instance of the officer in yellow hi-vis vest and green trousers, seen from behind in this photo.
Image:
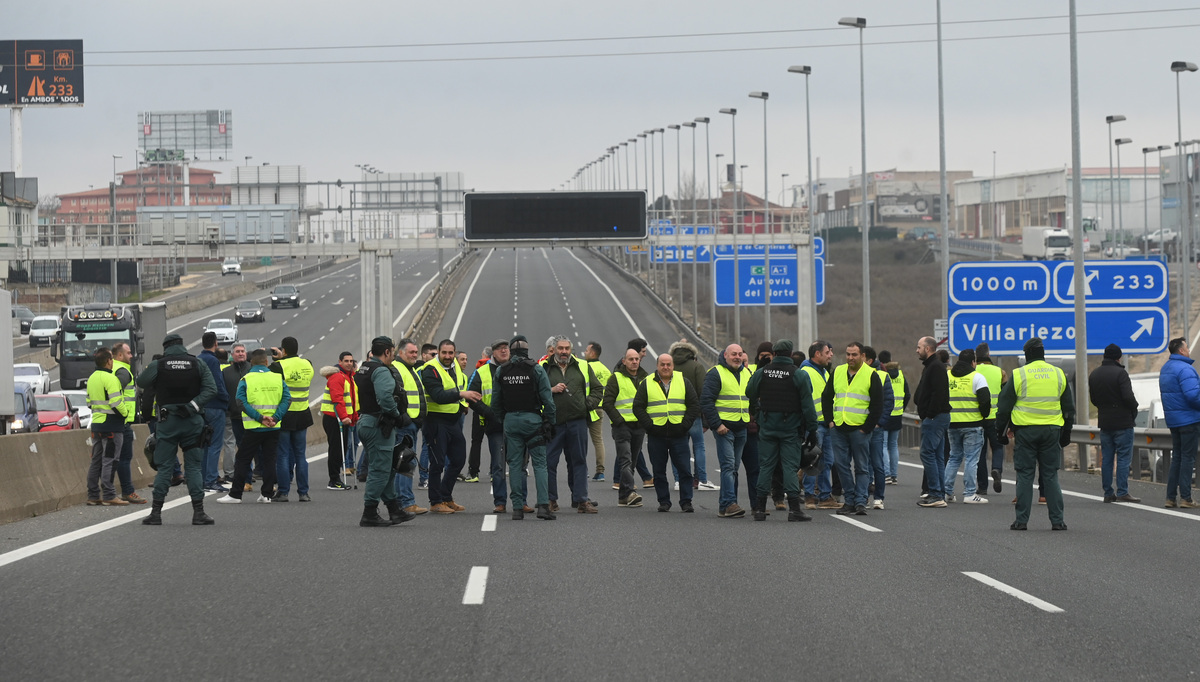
(1037, 406)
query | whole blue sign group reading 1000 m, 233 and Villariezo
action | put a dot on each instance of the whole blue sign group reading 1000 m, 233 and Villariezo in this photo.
(1004, 306)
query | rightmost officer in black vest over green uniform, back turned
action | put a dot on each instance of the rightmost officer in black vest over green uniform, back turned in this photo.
(782, 398)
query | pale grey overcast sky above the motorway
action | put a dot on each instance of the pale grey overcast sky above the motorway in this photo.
(529, 124)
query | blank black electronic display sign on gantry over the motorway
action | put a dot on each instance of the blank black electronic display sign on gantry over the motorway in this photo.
(555, 216)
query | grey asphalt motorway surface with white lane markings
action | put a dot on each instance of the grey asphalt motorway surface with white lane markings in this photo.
(299, 591)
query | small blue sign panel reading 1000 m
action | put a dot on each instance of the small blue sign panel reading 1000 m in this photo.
(991, 284)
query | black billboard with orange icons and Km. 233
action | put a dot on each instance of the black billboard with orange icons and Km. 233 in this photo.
(41, 74)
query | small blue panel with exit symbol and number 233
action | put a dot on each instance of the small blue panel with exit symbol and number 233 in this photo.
(1117, 283)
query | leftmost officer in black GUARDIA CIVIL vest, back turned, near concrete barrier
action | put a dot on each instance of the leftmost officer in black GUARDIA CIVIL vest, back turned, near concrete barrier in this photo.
(182, 385)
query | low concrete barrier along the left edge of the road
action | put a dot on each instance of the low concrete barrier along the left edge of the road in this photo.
(45, 472)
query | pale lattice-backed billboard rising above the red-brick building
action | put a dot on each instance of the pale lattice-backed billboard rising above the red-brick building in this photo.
(179, 136)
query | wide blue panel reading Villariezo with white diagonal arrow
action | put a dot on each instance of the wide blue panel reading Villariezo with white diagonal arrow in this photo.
(1137, 330)
